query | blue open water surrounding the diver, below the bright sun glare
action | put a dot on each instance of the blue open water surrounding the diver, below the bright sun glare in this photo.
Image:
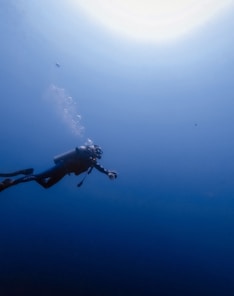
(163, 113)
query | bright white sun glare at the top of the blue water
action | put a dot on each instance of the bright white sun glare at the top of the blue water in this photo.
(152, 20)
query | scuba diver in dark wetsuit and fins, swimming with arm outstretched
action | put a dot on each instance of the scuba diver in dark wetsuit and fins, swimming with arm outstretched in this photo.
(79, 160)
